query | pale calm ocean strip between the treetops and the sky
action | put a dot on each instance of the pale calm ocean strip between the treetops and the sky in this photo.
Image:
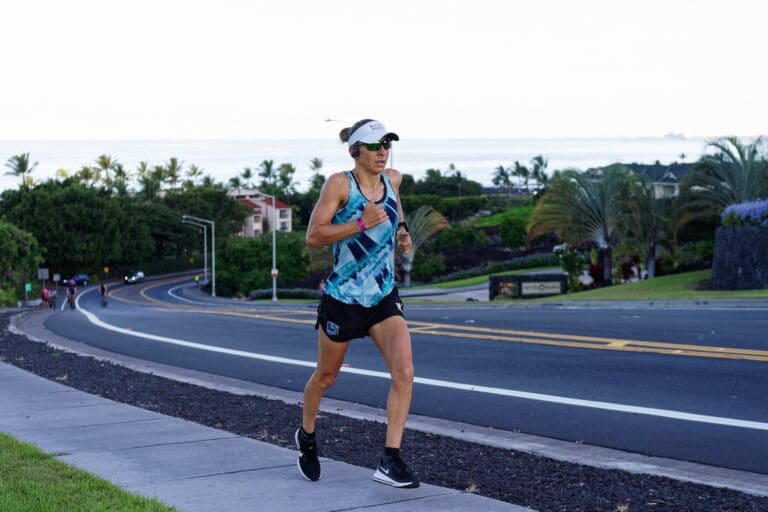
(223, 159)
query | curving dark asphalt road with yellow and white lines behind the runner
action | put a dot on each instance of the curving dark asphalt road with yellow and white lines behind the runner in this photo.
(685, 384)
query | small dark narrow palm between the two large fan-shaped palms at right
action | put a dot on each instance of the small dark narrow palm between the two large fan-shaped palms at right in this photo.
(644, 224)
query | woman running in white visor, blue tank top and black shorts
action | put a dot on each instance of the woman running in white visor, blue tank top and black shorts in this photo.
(359, 214)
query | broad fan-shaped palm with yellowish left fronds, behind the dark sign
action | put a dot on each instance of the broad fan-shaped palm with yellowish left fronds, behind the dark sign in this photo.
(579, 210)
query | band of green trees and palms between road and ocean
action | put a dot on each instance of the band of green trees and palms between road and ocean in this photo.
(94, 218)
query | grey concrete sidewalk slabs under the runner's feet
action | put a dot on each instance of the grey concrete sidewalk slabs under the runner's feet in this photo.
(193, 467)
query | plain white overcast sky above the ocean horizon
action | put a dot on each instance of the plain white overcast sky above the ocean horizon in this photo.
(167, 69)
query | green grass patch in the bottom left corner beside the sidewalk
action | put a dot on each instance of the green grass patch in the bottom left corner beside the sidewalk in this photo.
(33, 480)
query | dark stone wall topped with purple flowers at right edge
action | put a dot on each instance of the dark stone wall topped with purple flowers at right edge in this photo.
(740, 261)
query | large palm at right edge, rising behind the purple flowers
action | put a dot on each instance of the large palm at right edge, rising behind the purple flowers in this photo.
(735, 174)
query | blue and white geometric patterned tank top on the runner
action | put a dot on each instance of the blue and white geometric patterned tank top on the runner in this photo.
(363, 264)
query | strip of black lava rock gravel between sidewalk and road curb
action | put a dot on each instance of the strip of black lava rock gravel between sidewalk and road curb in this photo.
(520, 478)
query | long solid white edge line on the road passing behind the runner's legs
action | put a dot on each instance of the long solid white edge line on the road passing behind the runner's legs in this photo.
(511, 393)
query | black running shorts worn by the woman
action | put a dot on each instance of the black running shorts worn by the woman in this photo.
(343, 322)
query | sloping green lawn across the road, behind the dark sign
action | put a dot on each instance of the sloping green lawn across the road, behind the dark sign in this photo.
(674, 287)
